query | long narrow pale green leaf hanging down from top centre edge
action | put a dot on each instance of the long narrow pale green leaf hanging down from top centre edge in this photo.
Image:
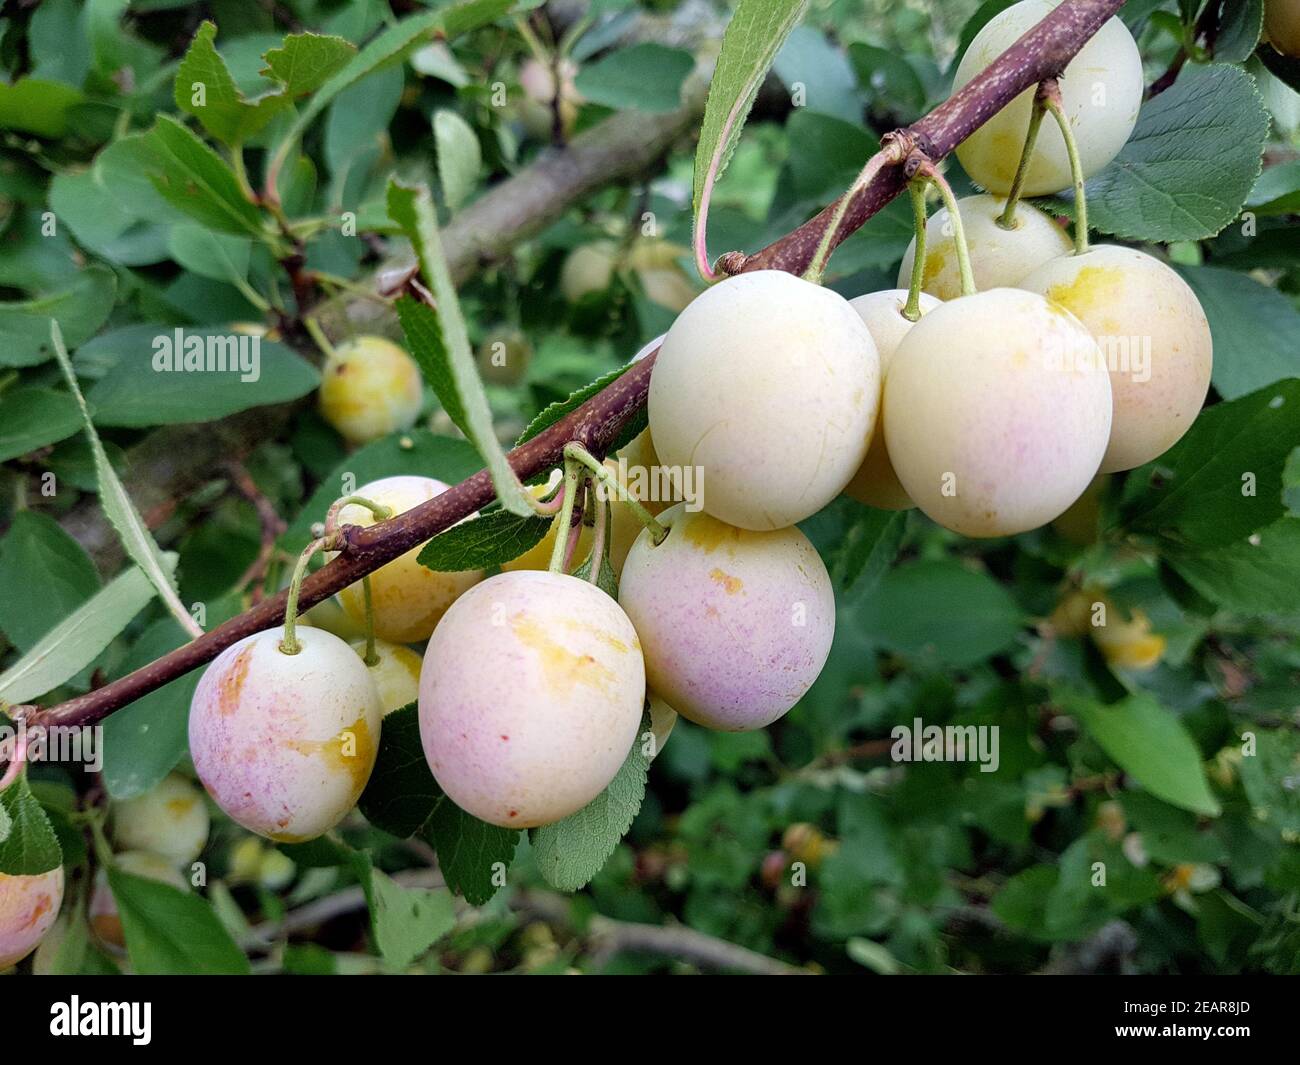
(751, 44)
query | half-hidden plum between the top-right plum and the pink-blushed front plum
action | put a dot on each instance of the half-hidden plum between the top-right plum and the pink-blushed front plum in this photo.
(1000, 258)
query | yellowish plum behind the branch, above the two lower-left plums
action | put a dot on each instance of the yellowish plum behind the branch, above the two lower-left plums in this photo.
(408, 598)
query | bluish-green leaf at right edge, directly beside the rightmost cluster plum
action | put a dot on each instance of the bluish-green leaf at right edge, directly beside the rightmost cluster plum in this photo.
(1256, 330)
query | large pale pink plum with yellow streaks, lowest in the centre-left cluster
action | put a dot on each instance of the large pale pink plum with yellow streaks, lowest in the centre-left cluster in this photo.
(531, 698)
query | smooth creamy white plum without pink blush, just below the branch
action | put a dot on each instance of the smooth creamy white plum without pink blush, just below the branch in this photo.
(770, 387)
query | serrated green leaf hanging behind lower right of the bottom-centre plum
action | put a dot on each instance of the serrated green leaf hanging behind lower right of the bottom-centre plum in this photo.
(573, 851)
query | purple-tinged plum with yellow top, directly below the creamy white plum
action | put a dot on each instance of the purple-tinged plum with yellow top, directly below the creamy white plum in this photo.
(735, 625)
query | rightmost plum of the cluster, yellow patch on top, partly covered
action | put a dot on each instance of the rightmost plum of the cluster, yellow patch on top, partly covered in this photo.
(1155, 336)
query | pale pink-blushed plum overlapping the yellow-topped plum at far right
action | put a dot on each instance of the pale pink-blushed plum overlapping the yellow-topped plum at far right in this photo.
(999, 413)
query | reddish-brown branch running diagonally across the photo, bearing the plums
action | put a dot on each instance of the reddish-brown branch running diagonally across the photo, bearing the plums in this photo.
(1043, 53)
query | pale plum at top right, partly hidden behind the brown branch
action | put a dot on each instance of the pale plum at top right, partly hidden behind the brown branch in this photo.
(1102, 92)
